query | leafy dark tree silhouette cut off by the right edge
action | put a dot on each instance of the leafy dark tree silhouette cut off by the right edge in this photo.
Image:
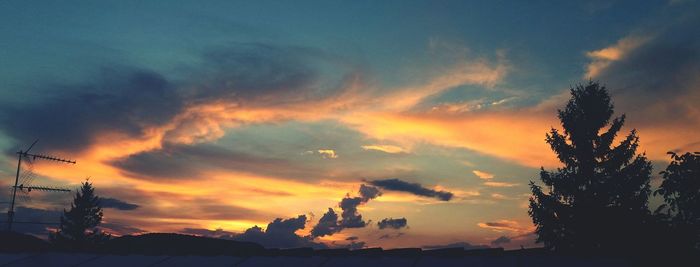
(681, 192)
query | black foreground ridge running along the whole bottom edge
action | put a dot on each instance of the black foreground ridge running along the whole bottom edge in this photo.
(165, 249)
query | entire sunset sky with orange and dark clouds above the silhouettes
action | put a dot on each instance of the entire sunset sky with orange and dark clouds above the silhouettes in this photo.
(328, 123)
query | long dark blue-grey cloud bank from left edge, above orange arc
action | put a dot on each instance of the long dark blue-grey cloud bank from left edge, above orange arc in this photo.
(129, 101)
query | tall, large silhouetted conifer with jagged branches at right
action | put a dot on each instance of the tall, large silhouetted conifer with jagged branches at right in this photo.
(598, 199)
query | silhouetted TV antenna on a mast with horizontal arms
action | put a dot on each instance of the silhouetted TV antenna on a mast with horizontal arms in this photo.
(26, 187)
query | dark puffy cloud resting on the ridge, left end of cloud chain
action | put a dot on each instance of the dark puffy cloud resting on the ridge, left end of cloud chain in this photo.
(280, 234)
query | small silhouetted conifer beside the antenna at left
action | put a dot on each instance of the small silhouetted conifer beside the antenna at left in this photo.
(78, 229)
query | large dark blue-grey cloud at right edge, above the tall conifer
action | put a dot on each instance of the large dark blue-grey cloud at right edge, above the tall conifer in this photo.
(666, 67)
